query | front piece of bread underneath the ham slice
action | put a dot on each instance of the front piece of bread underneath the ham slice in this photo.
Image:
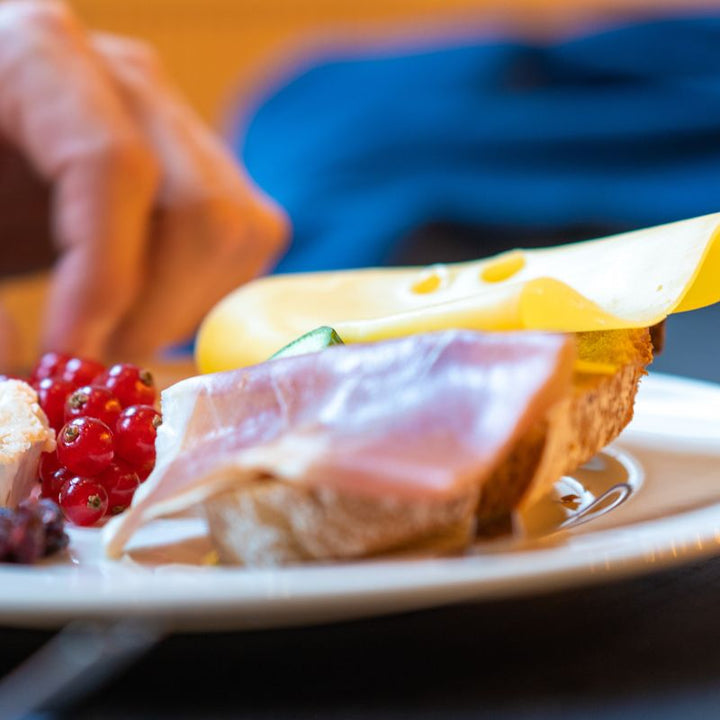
(277, 523)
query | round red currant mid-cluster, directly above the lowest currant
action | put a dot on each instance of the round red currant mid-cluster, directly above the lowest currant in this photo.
(85, 446)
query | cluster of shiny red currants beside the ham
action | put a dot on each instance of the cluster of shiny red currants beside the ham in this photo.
(106, 425)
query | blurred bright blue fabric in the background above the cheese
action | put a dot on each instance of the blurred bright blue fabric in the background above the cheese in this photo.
(619, 127)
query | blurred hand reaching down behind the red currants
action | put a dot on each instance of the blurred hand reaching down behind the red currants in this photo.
(153, 220)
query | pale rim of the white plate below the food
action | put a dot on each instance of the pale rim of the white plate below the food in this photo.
(239, 597)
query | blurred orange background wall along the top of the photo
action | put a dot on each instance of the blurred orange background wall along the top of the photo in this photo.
(216, 48)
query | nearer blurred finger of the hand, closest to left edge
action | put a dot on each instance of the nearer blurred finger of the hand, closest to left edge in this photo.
(59, 107)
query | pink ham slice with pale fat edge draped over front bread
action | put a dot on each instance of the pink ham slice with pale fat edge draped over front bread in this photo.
(423, 419)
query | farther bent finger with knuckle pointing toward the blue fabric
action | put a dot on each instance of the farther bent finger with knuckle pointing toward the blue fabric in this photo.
(214, 230)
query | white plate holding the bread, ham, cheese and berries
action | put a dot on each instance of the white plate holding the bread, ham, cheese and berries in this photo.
(671, 452)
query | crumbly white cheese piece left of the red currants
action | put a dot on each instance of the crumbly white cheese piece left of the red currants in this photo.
(24, 435)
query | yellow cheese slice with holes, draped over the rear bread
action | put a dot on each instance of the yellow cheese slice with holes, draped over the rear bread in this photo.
(625, 281)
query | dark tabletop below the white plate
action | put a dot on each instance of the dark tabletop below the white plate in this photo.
(646, 648)
